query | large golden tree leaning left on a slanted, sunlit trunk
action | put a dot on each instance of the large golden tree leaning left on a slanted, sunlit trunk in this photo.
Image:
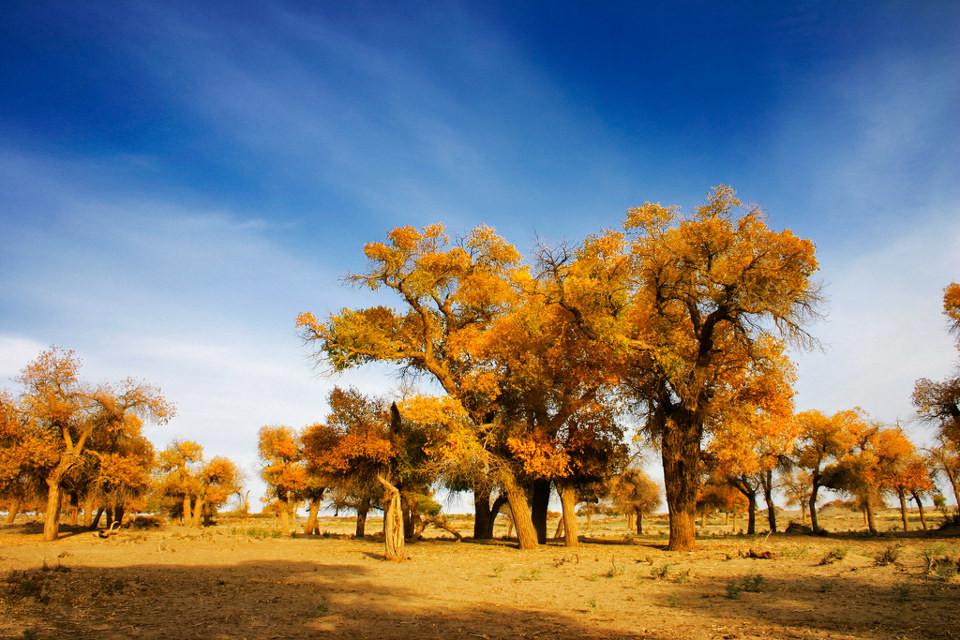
(450, 294)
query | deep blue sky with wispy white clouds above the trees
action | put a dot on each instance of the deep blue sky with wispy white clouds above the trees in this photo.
(177, 182)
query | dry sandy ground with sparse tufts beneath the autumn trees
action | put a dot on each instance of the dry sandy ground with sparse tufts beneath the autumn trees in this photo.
(236, 580)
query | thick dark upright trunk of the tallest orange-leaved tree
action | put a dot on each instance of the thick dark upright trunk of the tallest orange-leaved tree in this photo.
(680, 451)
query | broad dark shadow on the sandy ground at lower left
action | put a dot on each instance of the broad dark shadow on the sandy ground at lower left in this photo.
(273, 599)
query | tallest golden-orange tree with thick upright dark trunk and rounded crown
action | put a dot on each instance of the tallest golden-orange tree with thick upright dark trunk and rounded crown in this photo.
(698, 305)
